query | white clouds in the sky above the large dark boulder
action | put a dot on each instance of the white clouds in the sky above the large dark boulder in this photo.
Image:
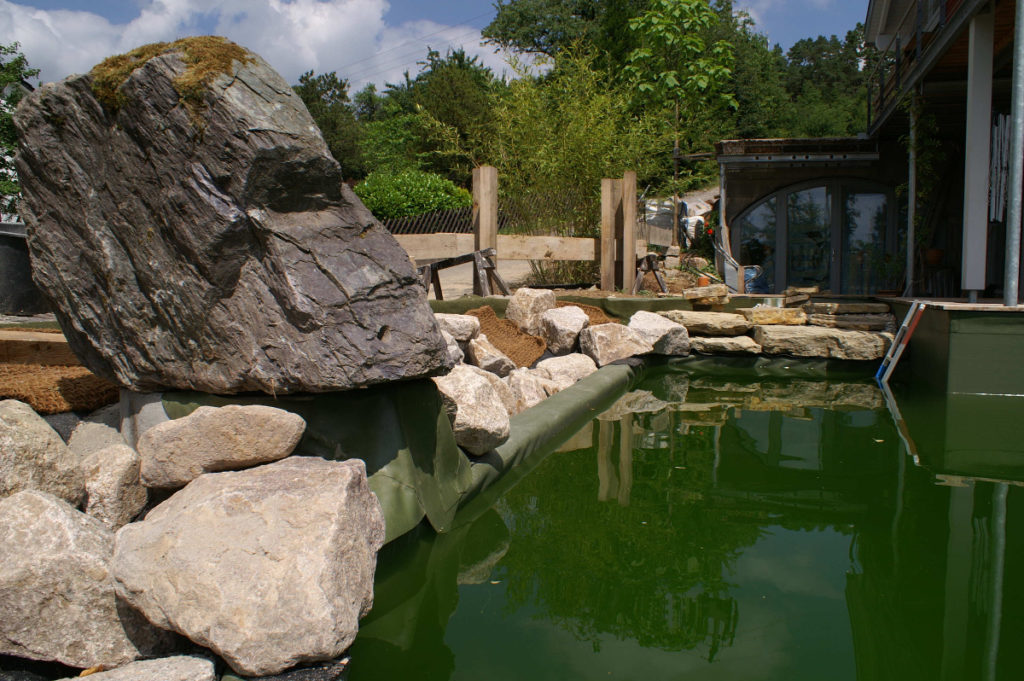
(294, 36)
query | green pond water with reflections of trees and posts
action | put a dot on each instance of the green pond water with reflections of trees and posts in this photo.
(710, 529)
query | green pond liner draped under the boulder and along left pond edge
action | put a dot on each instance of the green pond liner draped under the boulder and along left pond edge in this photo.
(403, 435)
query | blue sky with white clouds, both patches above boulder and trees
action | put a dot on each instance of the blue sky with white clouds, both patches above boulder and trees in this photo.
(365, 41)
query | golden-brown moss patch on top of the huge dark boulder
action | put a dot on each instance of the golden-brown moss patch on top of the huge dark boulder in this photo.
(205, 57)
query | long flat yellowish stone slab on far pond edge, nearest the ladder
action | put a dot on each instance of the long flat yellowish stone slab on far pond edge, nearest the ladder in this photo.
(822, 343)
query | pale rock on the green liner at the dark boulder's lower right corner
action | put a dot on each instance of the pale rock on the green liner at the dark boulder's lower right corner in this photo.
(479, 418)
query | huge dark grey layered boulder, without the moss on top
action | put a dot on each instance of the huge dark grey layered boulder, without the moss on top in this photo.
(214, 248)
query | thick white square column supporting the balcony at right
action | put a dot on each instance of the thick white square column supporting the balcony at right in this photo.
(979, 126)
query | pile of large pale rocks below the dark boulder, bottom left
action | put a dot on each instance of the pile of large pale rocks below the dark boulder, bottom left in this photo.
(267, 565)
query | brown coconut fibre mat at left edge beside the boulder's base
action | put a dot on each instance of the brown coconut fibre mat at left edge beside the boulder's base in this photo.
(55, 390)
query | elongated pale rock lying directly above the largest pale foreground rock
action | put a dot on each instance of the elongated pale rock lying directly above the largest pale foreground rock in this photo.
(214, 439)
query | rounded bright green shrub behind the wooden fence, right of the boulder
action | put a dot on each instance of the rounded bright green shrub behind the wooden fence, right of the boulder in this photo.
(390, 195)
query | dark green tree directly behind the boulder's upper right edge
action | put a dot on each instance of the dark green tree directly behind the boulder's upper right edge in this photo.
(326, 97)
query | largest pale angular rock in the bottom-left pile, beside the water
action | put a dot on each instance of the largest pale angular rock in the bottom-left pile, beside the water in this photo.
(268, 568)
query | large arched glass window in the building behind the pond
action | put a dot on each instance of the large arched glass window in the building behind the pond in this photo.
(839, 235)
